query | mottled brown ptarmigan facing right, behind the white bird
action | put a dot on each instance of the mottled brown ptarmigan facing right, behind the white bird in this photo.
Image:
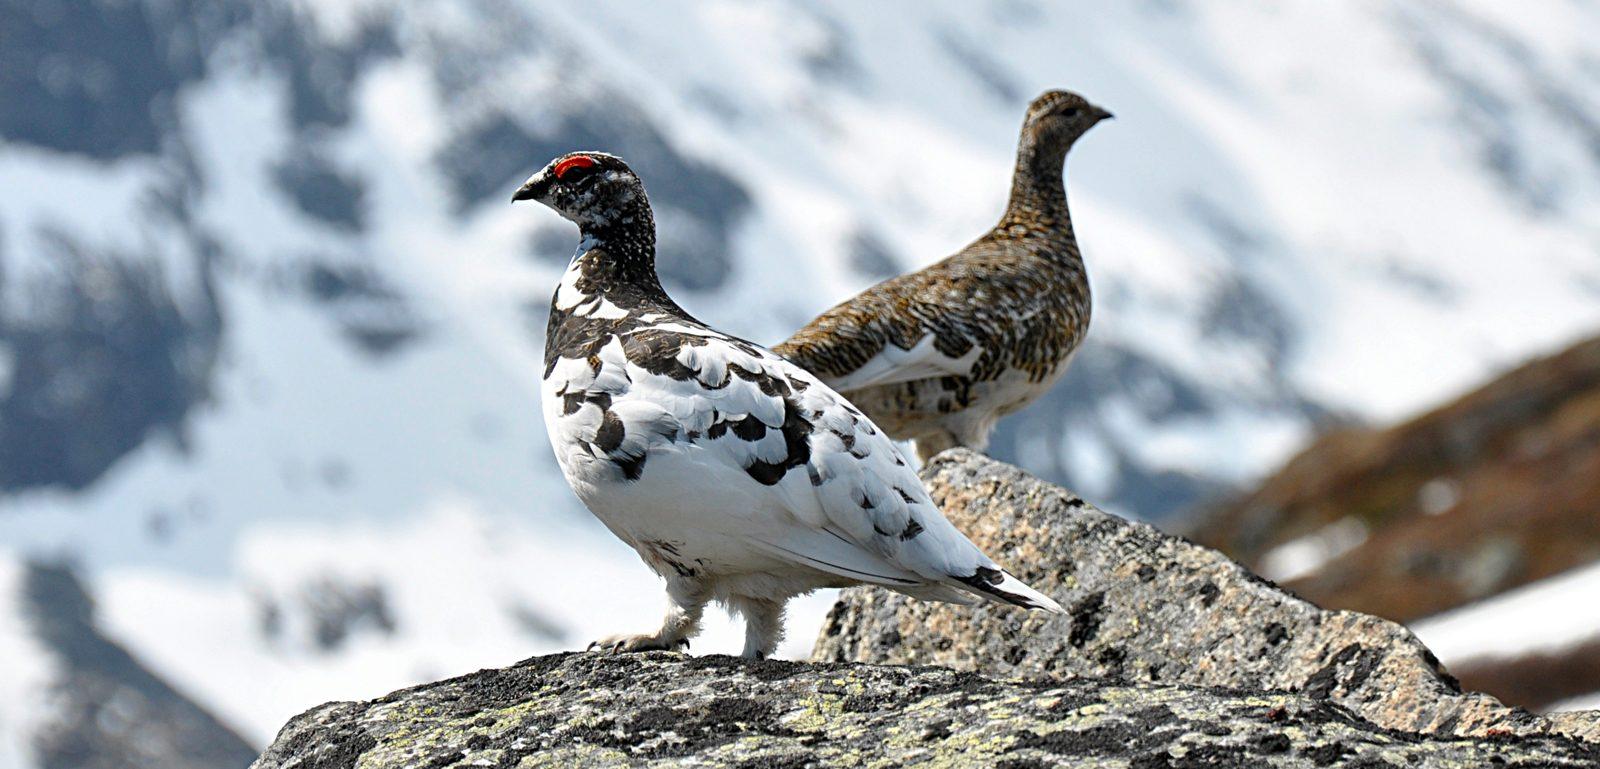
(937, 357)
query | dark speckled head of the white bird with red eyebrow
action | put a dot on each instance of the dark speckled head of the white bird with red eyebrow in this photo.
(591, 189)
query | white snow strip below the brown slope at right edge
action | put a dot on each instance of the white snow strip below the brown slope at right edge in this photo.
(1546, 616)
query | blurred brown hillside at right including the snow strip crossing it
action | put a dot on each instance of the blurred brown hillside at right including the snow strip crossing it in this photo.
(1479, 520)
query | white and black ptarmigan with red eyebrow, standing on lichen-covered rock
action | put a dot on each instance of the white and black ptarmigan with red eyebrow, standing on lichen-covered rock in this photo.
(737, 476)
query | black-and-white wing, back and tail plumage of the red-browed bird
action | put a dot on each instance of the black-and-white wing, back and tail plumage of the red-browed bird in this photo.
(823, 487)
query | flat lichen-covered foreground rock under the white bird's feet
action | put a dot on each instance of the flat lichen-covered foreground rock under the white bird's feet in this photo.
(666, 709)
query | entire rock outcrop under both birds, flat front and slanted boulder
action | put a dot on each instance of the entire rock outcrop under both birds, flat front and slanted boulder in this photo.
(1172, 656)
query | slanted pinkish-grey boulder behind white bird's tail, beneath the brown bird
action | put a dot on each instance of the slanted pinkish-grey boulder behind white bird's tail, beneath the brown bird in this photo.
(1146, 607)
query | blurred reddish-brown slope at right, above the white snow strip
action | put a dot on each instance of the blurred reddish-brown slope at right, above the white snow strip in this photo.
(1492, 492)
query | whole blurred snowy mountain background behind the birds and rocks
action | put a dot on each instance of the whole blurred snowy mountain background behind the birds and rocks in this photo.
(271, 333)
